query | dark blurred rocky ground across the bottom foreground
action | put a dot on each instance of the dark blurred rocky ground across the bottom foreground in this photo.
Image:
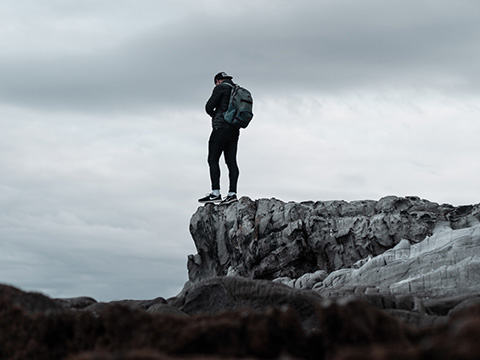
(267, 329)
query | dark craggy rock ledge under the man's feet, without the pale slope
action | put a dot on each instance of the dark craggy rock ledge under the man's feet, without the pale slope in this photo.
(268, 239)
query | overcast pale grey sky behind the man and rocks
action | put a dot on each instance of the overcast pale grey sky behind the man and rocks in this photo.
(103, 139)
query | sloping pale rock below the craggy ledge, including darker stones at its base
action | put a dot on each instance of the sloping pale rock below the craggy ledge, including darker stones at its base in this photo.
(421, 283)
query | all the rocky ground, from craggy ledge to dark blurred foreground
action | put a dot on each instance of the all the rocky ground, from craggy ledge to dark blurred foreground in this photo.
(396, 278)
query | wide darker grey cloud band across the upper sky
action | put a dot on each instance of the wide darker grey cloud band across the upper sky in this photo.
(302, 47)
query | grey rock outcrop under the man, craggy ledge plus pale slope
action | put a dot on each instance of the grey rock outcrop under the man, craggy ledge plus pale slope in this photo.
(413, 258)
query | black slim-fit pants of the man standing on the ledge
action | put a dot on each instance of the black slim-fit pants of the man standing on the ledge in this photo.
(223, 140)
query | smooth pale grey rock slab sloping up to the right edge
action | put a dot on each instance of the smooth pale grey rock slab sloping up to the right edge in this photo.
(443, 265)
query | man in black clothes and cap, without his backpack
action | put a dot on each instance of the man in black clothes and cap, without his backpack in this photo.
(223, 139)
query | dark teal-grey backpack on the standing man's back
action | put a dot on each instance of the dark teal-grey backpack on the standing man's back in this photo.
(239, 112)
